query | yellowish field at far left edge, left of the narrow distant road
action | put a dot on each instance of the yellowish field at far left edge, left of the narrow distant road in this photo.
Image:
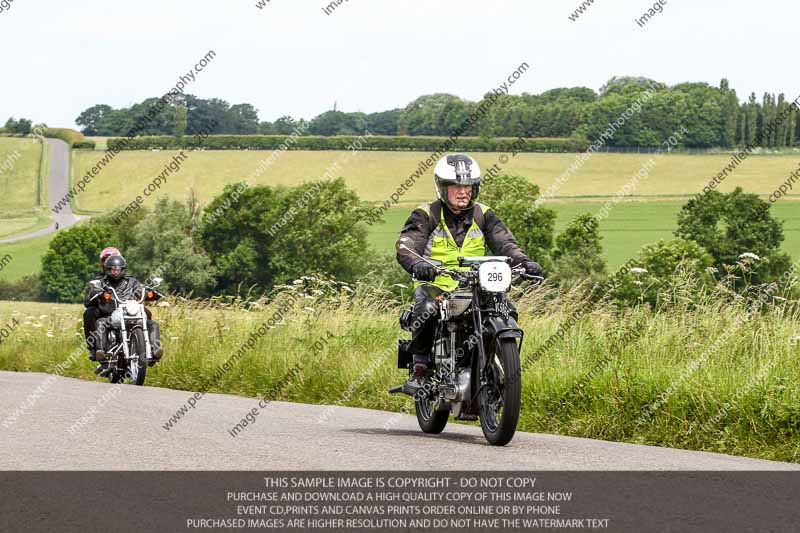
(20, 196)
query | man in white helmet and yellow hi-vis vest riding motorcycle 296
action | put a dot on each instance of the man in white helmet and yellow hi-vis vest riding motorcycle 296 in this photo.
(452, 226)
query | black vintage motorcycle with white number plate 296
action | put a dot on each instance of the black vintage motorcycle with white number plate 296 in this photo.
(476, 361)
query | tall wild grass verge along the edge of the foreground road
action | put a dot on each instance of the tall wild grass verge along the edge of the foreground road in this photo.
(715, 377)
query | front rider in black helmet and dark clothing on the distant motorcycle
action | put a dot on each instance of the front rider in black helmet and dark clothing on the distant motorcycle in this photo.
(127, 288)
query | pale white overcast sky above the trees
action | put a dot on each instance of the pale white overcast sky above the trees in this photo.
(58, 58)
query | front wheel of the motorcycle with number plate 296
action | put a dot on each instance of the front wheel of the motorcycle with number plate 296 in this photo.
(501, 397)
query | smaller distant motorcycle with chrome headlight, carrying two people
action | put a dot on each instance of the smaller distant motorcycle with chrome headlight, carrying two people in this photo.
(129, 349)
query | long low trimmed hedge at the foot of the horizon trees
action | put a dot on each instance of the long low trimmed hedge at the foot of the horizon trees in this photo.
(383, 143)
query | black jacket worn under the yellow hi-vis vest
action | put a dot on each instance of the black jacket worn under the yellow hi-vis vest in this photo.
(498, 237)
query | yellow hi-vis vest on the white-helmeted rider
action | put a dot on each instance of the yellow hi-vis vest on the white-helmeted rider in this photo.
(442, 247)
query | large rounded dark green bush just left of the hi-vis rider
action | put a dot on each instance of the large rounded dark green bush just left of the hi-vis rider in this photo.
(271, 235)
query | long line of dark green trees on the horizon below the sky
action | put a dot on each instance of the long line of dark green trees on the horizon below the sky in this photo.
(714, 116)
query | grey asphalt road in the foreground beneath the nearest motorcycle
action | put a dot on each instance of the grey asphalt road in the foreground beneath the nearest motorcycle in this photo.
(285, 436)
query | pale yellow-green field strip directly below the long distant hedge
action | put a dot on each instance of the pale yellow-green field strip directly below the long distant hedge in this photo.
(375, 175)
